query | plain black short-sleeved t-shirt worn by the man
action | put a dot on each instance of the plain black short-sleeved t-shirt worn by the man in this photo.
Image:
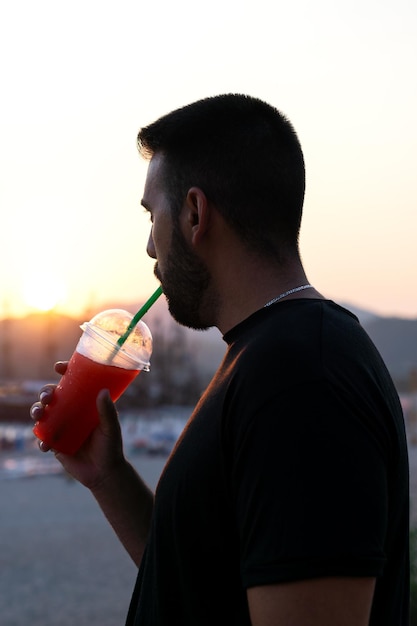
(293, 466)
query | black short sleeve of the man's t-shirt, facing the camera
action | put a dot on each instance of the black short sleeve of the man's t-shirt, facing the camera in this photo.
(310, 490)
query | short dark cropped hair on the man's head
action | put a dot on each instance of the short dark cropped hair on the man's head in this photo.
(246, 157)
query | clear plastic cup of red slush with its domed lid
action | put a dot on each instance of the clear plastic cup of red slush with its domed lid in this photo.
(98, 362)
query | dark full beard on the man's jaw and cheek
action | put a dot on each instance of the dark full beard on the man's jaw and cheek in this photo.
(185, 282)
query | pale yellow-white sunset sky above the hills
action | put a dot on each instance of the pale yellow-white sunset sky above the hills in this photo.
(80, 77)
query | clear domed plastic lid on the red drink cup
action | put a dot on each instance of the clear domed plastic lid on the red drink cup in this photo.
(105, 328)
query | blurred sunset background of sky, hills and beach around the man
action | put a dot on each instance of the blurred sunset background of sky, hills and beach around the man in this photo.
(78, 80)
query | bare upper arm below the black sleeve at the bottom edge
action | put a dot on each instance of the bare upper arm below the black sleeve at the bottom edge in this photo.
(316, 602)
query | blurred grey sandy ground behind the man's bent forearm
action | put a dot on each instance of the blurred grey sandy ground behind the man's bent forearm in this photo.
(60, 563)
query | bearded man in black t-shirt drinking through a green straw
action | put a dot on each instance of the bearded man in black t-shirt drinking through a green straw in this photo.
(285, 500)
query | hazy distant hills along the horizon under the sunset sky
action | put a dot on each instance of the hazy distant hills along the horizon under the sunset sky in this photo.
(30, 346)
